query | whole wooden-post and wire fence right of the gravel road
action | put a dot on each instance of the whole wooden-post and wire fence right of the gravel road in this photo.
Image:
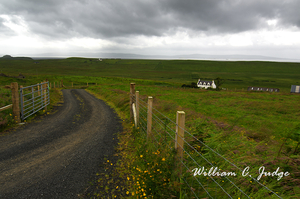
(211, 185)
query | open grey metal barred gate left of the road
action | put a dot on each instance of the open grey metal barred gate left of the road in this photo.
(33, 98)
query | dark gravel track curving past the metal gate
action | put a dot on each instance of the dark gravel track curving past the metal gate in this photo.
(56, 157)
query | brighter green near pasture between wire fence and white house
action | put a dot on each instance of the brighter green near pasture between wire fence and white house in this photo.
(258, 127)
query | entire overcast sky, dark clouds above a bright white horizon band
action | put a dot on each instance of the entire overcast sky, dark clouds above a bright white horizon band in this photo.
(156, 27)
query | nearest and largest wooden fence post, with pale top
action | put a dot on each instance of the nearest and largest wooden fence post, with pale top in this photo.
(179, 137)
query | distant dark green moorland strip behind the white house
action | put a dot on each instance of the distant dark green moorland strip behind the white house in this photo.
(236, 74)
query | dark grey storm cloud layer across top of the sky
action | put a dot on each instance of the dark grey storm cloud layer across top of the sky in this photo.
(118, 18)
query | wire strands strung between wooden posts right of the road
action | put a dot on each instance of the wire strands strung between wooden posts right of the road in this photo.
(200, 164)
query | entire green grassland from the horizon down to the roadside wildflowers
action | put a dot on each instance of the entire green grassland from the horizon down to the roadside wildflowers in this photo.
(261, 128)
